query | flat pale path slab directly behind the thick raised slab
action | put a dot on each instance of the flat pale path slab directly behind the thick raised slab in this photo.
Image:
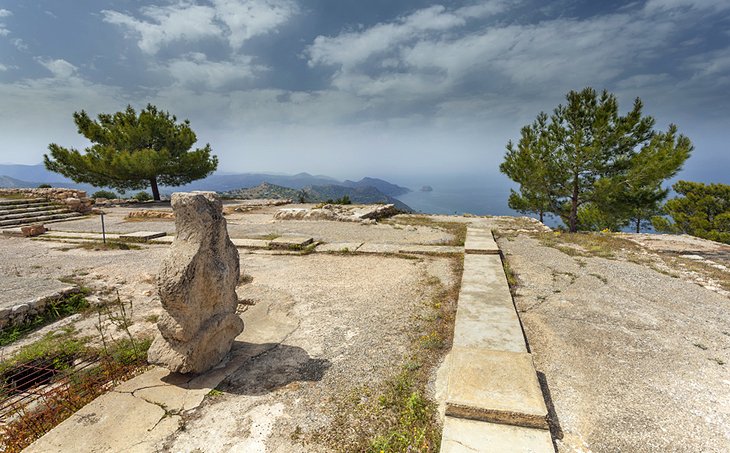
(489, 323)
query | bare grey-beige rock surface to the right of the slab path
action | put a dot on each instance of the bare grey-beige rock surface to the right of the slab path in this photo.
(633, 353)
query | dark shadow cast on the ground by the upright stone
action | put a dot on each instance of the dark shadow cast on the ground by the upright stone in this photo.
(277, 366)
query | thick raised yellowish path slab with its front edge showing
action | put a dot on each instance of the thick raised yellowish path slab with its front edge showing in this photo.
(495, 386)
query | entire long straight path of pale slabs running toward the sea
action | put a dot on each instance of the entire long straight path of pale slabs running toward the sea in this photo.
(494, 402)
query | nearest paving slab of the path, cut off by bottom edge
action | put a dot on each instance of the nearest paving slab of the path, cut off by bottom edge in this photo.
(473, 436)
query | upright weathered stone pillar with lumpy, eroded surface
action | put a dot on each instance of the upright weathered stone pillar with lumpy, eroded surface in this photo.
(197, 287)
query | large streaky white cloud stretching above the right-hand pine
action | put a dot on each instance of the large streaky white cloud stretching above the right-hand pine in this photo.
(433, 53)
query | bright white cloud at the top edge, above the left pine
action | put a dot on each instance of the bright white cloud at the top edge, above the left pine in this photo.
(235, 21)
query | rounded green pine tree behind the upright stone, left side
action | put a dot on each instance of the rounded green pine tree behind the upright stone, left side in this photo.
(132, 152)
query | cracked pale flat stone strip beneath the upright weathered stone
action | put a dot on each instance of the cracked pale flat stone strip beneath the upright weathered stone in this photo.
(143, 411)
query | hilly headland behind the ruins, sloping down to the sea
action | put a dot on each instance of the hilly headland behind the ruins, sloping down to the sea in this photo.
(317, 194)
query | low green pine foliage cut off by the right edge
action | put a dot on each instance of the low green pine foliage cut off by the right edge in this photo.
(702, 210)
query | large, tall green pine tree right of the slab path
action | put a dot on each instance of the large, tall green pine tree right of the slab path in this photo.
(591, 166)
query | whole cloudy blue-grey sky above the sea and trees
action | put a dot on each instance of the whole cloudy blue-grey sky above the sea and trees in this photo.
(352, 88)
